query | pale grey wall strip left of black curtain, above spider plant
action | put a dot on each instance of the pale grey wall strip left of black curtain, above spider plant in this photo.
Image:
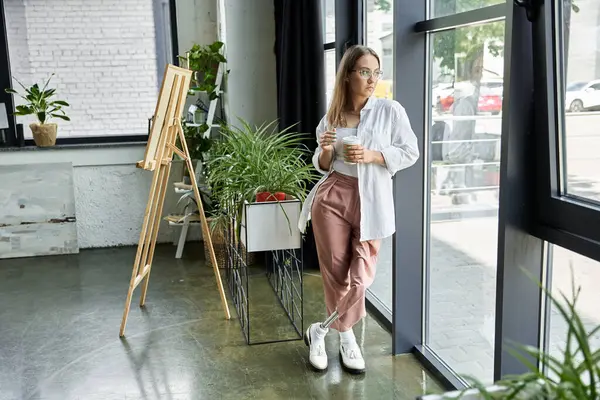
(252, 81)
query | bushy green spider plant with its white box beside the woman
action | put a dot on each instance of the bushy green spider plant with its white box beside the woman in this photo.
(250, 164)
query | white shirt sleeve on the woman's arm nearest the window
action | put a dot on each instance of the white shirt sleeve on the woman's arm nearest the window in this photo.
(404, 150)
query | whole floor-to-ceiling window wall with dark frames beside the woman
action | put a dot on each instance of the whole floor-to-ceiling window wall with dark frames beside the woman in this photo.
(504, 110)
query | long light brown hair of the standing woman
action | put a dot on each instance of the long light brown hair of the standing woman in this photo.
(339, 101)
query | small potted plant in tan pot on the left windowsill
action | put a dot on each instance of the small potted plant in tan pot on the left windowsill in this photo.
(39, 102)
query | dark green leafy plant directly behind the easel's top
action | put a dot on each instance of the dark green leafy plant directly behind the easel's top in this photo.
(204, 60)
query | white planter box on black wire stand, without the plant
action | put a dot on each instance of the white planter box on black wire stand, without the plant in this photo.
(266, 228)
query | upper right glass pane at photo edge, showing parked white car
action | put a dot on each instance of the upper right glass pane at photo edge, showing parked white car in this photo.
(581, 59)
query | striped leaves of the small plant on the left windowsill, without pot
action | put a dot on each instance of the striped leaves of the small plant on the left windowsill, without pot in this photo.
(39, 102)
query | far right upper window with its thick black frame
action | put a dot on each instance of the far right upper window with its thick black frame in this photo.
(569, 187)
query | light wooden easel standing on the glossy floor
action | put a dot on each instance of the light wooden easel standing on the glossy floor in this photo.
(162, 143)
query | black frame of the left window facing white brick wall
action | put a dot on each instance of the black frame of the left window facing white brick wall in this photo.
(6, 81)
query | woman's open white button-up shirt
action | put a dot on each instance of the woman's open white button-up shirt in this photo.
(384, 127)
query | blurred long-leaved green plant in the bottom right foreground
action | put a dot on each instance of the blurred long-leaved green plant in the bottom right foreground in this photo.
(575, 375)
